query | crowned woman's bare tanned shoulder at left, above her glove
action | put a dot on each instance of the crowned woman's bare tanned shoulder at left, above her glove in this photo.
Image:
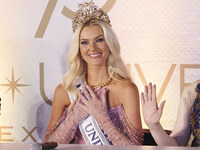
(61, 96)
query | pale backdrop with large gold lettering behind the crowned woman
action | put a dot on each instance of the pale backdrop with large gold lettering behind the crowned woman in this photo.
(160, 43)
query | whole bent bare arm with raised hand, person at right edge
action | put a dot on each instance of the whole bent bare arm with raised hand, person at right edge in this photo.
(152, 114)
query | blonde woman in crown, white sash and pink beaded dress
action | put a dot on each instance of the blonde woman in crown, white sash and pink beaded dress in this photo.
(97, 103)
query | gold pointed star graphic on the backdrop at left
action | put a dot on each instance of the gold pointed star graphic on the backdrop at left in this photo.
(13, 85)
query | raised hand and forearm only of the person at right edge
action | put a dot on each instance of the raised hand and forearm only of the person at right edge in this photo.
(152, 115)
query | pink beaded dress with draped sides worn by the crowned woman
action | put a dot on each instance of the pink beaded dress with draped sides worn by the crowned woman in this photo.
(116, 114)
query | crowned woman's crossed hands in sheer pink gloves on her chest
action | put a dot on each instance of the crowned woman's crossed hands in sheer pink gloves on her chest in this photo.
(94, 103)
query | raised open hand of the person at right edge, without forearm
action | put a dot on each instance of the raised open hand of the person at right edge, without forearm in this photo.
(151, 112)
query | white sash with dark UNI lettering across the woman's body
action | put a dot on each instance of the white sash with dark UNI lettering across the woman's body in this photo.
(90, 129)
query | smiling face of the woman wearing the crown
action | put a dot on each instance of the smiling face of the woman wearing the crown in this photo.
(93, 47)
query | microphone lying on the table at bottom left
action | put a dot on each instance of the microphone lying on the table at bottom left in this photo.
(43, 146)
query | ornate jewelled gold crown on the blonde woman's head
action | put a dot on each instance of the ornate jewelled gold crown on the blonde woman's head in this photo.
(89, 11)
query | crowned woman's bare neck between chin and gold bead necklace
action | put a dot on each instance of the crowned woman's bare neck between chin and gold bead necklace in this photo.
(96, 75)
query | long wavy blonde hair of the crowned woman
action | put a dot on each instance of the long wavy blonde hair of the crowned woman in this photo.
(77, 66)
